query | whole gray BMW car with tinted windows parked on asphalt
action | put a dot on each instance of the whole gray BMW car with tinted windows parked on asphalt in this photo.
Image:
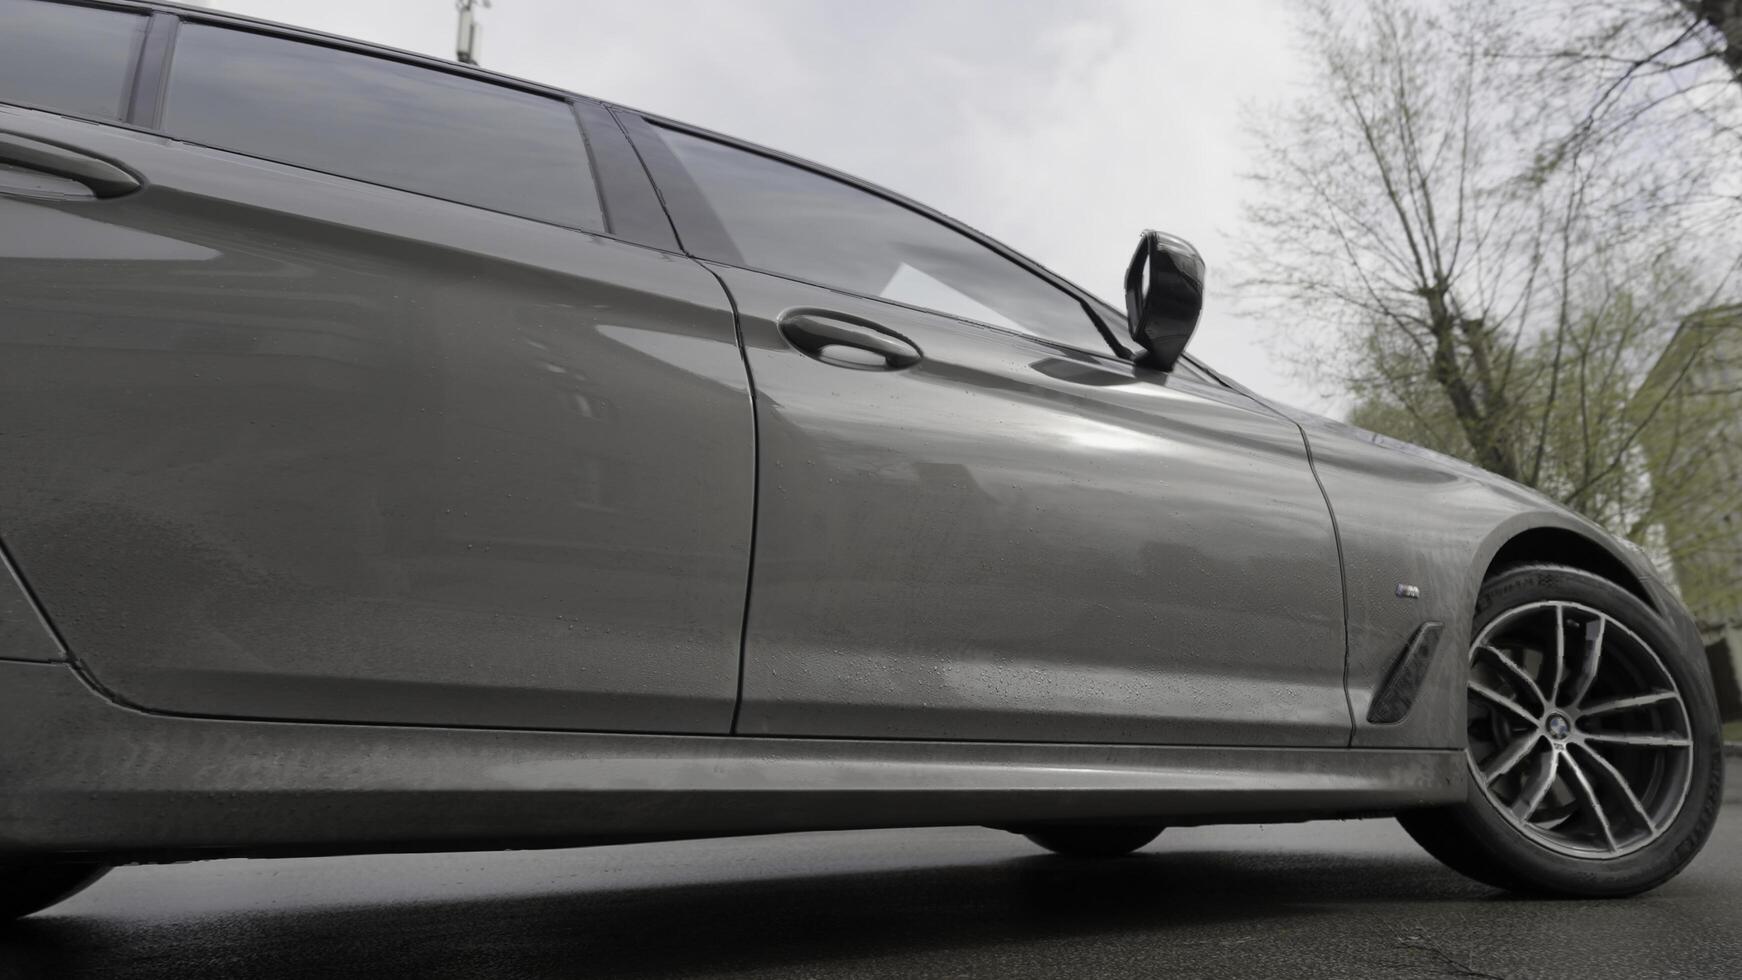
(403, 457)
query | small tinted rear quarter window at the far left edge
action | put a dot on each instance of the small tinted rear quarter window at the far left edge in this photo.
(74, 60)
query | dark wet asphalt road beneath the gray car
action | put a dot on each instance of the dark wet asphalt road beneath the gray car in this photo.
(1351, 899)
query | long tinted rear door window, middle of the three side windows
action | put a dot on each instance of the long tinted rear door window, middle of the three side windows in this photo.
(381, 121)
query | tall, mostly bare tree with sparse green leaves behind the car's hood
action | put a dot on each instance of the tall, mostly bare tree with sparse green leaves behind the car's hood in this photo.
(1487, 260)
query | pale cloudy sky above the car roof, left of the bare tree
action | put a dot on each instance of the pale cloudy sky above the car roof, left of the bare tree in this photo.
(1058, 128)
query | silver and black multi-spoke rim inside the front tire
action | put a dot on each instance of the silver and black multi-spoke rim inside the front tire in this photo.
(1579, 734)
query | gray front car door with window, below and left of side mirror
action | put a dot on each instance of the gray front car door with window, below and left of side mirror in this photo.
(975, 523)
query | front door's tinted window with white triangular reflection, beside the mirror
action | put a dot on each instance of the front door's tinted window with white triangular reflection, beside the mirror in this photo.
(799, 224)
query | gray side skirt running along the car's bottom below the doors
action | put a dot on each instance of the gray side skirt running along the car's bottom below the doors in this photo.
(88, 777)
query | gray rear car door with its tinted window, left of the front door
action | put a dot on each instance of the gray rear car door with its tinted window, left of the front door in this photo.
(377, 401)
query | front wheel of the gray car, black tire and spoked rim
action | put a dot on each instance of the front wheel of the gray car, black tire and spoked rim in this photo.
(1610, 835)
